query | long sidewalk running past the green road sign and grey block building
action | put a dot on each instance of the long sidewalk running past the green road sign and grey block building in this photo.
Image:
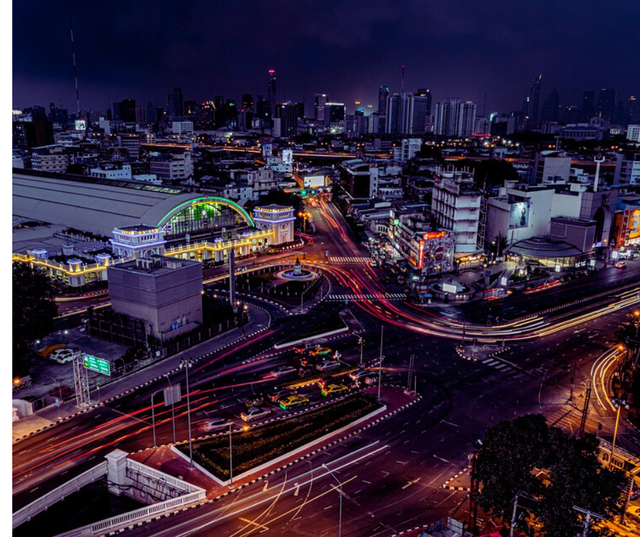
(50, 415)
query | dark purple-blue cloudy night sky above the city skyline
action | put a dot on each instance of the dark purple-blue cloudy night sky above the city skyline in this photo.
(140, 49)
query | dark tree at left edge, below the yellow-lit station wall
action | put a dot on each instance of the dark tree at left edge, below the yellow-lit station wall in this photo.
(33, 311)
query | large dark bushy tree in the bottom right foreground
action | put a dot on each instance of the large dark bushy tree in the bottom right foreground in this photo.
(512, 449)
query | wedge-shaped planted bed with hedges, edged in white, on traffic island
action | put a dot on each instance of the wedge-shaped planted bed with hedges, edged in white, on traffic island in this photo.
(264, 445)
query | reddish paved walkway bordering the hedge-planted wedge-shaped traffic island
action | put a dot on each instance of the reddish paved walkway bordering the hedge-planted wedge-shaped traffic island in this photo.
(165, 460)
